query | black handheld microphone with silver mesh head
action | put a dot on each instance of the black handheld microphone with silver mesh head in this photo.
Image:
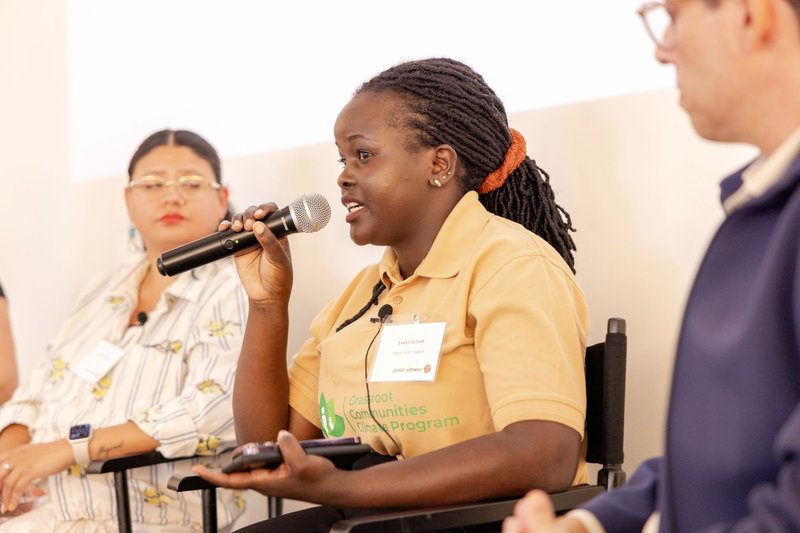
(308, 213)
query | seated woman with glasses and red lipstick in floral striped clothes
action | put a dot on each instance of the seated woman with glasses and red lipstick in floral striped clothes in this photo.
(145, 363)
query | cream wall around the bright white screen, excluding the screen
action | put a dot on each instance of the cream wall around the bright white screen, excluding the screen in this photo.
(640, 185)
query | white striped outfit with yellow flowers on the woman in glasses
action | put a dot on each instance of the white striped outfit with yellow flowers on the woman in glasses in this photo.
(174, 381)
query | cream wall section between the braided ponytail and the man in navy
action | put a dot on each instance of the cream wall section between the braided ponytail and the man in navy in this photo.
(642, 190)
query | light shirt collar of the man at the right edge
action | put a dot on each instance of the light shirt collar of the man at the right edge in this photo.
(763, 173)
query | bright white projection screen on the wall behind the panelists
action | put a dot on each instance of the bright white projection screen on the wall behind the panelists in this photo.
(251, 74)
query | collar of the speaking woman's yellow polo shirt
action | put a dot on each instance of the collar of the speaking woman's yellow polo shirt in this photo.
(451, 246)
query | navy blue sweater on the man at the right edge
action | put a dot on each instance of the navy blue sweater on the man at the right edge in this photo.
(733, 432)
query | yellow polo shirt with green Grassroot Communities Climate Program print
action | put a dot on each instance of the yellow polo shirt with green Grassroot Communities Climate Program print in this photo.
(513, 348)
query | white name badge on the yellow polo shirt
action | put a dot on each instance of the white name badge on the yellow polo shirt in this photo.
(408, 352)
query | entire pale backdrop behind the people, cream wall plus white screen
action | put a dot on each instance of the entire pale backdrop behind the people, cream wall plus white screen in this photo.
(84, 81)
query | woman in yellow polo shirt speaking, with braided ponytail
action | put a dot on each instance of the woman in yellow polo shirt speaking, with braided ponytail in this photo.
(460, 353)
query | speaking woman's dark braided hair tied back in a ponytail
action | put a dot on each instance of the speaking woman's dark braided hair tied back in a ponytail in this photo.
(446, 102)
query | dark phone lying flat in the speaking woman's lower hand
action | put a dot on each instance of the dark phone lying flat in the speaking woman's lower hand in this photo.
(341, 451)
